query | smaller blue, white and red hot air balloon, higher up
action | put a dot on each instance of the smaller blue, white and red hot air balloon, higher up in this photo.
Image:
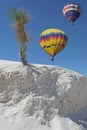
(72, 12)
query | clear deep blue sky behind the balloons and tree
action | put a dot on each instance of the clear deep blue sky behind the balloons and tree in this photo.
(46, 14)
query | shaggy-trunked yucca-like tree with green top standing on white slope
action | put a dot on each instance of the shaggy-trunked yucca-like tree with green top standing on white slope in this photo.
(21, 18)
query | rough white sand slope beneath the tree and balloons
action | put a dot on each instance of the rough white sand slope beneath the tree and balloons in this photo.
(41, 97)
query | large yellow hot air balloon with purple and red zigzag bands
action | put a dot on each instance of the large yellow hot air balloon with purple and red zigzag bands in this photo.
(53, 41)
